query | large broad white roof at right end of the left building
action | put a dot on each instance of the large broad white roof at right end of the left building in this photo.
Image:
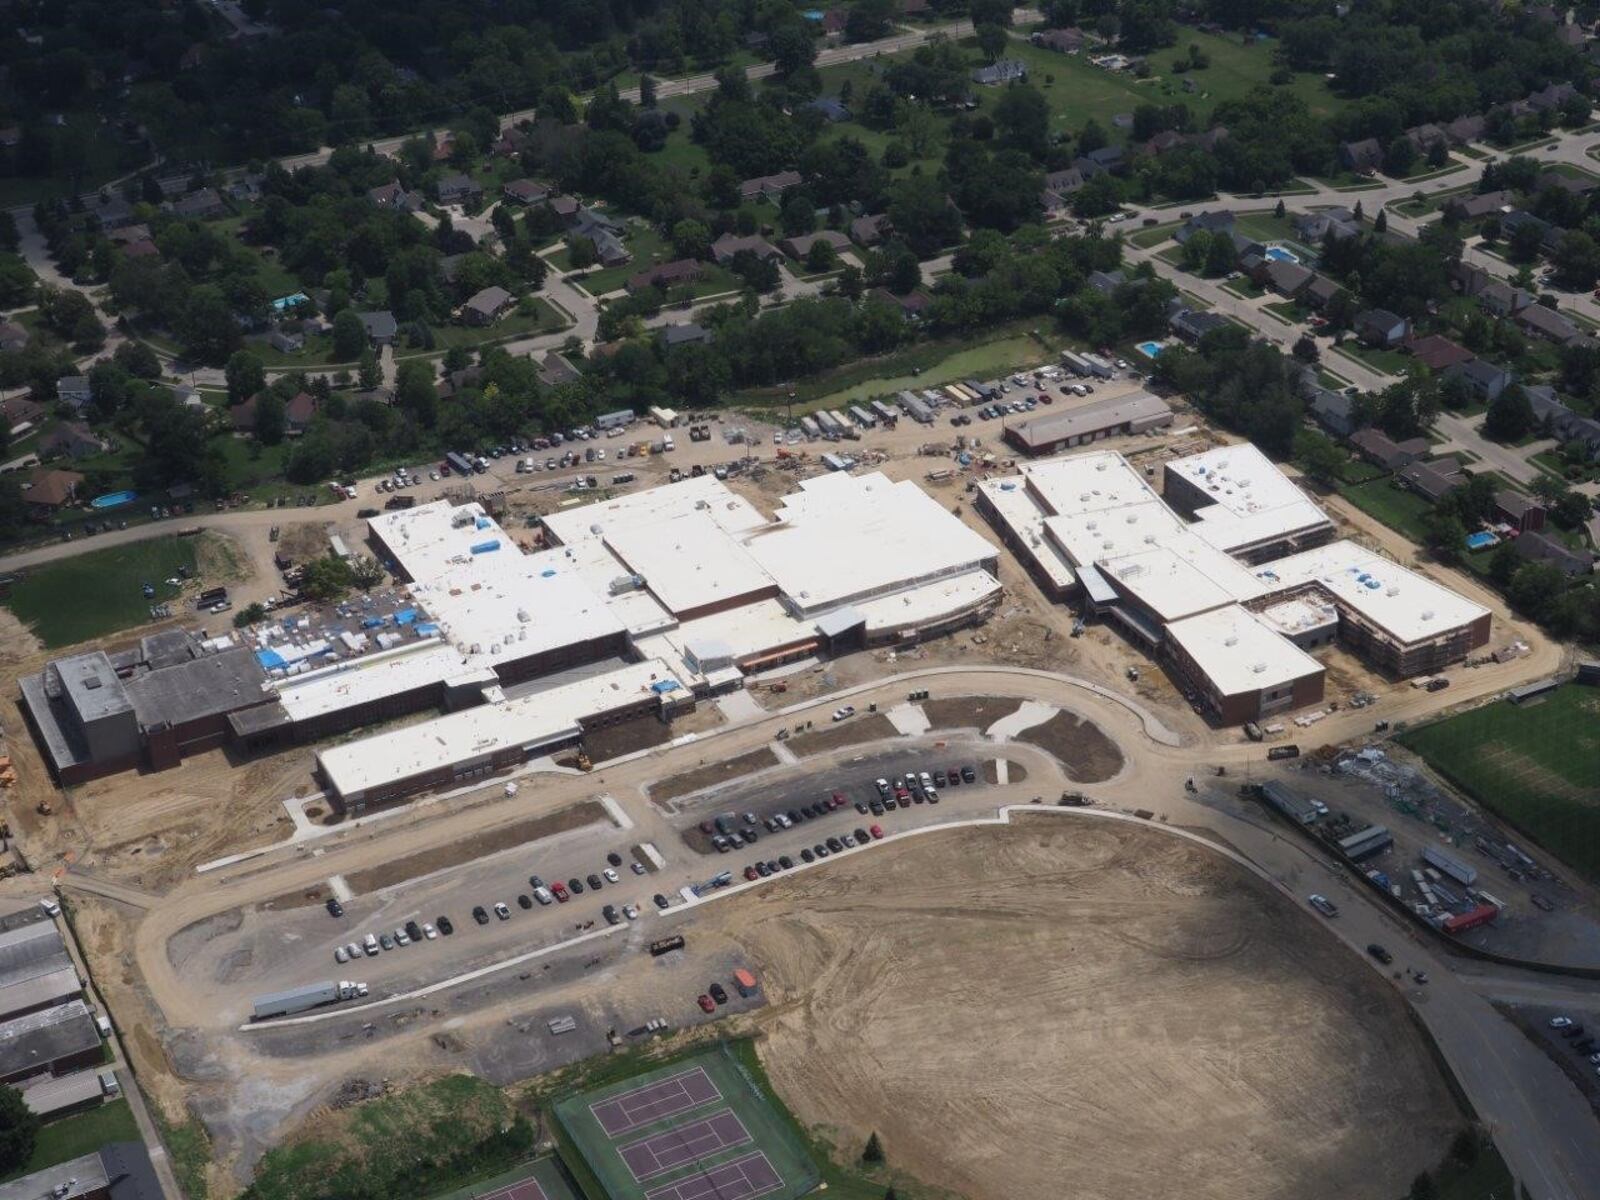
(846, 538)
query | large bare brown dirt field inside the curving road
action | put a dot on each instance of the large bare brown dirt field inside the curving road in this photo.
(1122, 1010)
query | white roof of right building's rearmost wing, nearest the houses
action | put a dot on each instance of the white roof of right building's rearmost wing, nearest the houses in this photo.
(1252, 502)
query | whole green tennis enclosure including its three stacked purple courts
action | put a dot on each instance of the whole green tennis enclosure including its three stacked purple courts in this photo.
(697, 1129)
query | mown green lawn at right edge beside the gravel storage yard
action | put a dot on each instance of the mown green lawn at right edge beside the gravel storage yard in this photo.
(1537, 766)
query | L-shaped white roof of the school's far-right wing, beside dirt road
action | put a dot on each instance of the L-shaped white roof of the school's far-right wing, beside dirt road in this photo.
(1407, 606)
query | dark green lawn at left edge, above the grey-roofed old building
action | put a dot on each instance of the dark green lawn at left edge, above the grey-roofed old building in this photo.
(98, 593)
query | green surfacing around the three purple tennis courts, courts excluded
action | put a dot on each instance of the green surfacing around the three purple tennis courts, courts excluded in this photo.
(599, 1153)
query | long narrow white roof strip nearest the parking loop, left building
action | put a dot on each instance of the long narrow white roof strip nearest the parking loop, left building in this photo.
(479, 734)
